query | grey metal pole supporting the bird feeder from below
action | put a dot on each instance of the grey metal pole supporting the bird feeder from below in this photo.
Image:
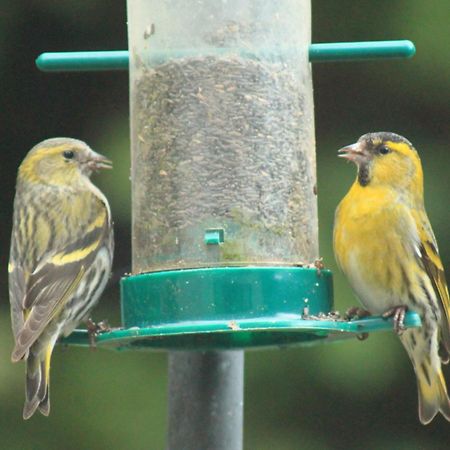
(206, 399)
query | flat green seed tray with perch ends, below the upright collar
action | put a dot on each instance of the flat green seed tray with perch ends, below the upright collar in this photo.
(245, 334)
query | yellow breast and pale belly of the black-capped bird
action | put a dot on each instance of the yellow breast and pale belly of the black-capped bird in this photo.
(374, 236)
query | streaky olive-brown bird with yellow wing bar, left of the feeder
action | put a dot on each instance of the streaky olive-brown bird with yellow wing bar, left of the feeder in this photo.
(61, 254)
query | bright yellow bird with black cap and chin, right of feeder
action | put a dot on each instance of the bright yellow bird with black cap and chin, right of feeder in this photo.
(384, 244)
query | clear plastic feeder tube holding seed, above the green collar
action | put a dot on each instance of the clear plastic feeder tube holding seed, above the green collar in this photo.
(222, 133)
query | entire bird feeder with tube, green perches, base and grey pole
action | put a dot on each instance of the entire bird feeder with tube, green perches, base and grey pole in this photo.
(224, 208)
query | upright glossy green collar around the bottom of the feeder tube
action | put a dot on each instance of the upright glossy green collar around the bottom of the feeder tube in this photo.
(223, 307)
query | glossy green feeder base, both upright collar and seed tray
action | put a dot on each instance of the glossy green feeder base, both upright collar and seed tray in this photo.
(230, 308)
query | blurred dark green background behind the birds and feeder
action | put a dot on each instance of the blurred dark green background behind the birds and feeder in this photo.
(349, 395)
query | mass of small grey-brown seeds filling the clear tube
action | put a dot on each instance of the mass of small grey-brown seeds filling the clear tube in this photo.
(227, 143)
